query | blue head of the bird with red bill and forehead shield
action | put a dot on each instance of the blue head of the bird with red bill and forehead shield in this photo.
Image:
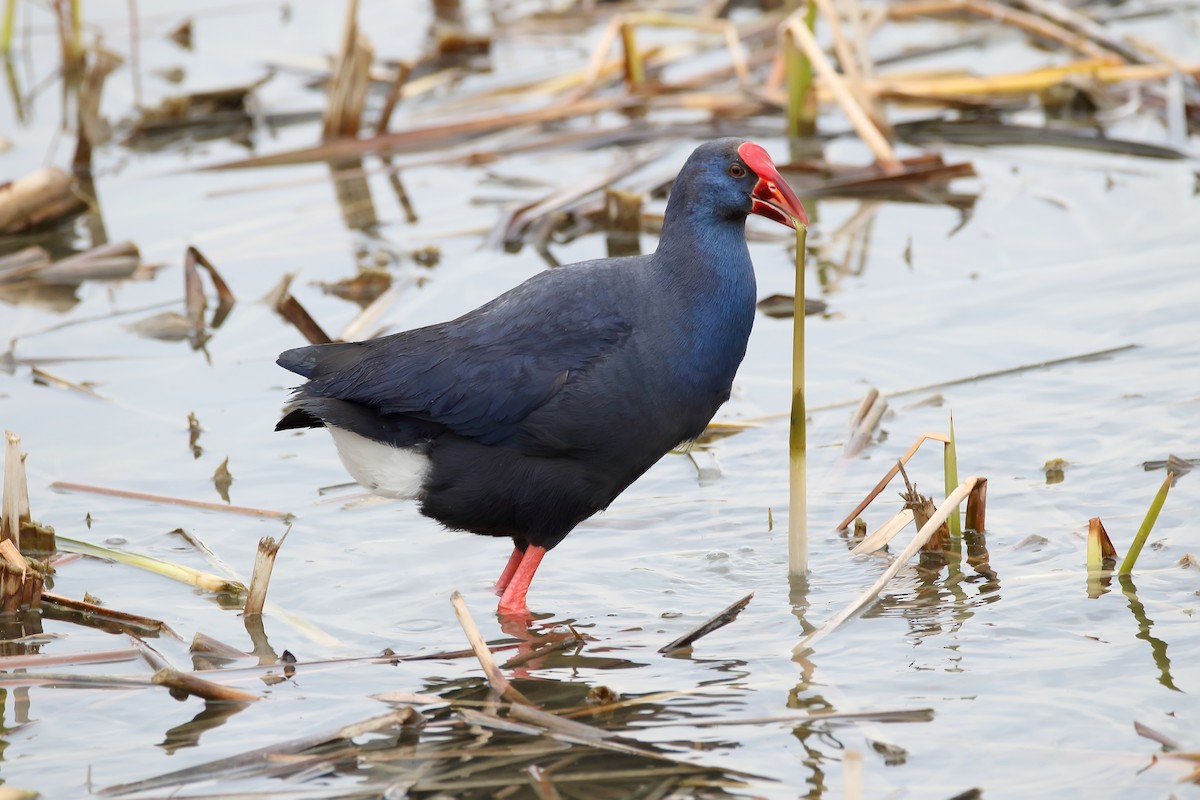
(739, 178)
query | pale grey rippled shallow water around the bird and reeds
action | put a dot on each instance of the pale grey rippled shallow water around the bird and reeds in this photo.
(1034, 687)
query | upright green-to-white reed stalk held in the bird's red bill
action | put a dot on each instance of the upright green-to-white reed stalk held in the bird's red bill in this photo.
(799, 466)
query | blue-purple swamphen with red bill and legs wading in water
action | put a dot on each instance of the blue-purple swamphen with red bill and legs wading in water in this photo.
(535, 412)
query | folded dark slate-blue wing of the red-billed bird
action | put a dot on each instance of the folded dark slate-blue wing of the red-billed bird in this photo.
(481, 375)
